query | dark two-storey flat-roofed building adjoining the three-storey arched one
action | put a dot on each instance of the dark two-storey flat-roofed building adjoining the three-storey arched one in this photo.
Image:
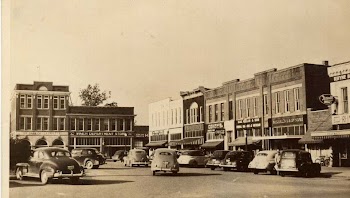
(106, 128)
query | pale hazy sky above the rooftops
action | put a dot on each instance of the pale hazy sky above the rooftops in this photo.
(145, 51)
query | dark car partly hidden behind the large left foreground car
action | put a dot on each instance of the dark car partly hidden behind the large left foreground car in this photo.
(88, 157)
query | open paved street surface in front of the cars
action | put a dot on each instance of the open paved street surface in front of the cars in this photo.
(115, 180)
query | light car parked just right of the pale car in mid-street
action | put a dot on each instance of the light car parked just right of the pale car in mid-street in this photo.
(193, 158)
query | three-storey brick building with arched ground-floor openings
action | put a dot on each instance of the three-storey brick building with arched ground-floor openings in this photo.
(38, 114)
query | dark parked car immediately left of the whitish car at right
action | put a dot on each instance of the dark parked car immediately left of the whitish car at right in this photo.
(238, 160)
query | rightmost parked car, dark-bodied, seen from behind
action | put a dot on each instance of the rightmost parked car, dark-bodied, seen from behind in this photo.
(299, 162)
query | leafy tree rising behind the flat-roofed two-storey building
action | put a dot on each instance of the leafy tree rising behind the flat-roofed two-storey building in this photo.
(93, 96)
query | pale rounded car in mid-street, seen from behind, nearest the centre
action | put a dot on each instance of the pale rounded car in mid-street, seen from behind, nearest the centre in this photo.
(165, 160)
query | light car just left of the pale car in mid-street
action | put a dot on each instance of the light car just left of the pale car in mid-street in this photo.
(136, 157)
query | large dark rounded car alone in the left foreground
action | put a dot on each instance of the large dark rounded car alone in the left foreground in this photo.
(48, 163)
